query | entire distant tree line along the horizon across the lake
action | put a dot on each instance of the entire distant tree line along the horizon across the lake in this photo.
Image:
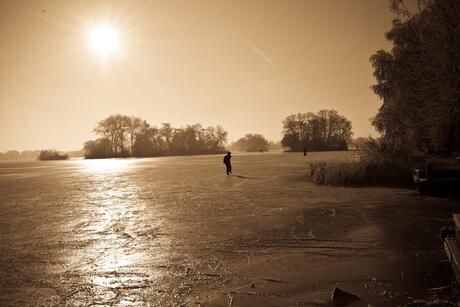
(130, 136)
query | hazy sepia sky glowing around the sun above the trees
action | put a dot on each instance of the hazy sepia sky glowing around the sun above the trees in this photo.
(245, 65)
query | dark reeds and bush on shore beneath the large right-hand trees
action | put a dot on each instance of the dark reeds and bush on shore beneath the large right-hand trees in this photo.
(379, 164)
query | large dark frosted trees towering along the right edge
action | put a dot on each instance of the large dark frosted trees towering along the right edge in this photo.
(419, 79)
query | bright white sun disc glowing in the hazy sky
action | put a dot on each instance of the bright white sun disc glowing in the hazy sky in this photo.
(104, 40)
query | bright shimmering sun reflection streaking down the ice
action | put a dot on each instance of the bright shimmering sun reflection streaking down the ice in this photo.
(120, 228)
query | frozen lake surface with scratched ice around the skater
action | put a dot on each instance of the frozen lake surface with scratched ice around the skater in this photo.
(177, 230)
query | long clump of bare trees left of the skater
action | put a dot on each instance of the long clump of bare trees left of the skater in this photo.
(123, 136)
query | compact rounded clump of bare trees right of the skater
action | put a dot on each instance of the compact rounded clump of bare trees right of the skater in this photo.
(325, 130)
